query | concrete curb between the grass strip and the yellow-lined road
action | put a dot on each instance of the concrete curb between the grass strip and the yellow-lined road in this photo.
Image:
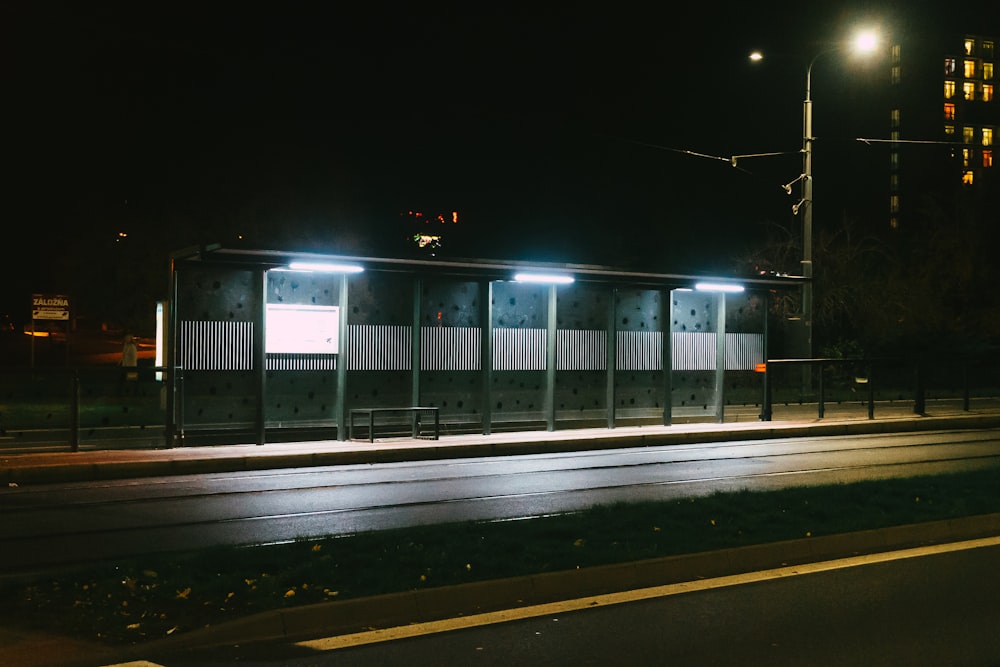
(397, 609)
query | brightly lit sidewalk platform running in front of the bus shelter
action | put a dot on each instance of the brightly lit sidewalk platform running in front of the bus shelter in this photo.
(790, 421)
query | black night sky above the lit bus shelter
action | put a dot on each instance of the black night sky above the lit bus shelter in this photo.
(556, 134)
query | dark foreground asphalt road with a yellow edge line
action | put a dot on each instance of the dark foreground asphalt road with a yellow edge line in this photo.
(929, 606)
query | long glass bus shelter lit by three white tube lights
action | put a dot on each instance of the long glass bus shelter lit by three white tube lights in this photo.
(284, 345)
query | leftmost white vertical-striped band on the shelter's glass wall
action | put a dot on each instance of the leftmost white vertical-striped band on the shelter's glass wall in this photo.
(215, 346)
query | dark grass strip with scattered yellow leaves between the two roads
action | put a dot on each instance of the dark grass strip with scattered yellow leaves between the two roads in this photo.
(139, 599)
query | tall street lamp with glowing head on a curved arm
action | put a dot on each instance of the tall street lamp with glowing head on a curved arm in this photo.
(864, 42)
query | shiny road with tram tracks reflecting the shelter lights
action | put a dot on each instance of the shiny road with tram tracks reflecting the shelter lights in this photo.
(59, 525)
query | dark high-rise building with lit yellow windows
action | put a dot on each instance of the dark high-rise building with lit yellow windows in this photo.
(944, 118)
